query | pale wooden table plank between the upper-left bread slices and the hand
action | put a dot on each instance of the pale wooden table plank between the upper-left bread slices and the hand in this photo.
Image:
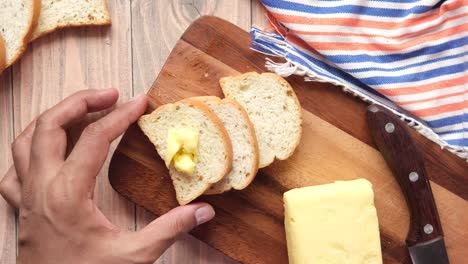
(66, 61)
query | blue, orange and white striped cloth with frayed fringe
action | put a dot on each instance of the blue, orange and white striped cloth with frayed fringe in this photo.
(407, 55)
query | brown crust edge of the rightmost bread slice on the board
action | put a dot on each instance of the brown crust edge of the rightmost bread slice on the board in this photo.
(280, 79)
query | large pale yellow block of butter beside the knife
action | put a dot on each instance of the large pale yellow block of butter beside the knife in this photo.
(332, 223)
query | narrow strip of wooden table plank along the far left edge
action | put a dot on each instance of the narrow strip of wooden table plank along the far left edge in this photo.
(7, 215)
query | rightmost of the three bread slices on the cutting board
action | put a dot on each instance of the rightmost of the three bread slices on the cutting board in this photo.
(274, 110)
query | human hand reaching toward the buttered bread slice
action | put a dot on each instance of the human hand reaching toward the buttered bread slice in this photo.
(58, 220)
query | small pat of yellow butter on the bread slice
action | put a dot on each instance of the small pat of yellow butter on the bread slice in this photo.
(182, 145)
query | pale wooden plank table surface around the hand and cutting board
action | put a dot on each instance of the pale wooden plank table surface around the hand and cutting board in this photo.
(128, 56)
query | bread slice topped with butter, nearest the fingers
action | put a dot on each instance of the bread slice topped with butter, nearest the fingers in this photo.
(214, 158)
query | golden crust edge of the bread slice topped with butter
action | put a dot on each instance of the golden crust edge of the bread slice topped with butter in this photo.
(219, 125)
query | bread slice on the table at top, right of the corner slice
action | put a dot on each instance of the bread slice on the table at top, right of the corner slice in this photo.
(67, 13)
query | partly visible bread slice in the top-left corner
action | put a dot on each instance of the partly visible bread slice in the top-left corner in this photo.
(18, 18)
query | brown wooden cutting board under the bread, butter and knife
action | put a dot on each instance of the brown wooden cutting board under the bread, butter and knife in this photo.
(336, 145)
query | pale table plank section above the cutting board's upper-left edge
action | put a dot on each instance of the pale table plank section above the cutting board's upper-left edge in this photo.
(157, 25)
